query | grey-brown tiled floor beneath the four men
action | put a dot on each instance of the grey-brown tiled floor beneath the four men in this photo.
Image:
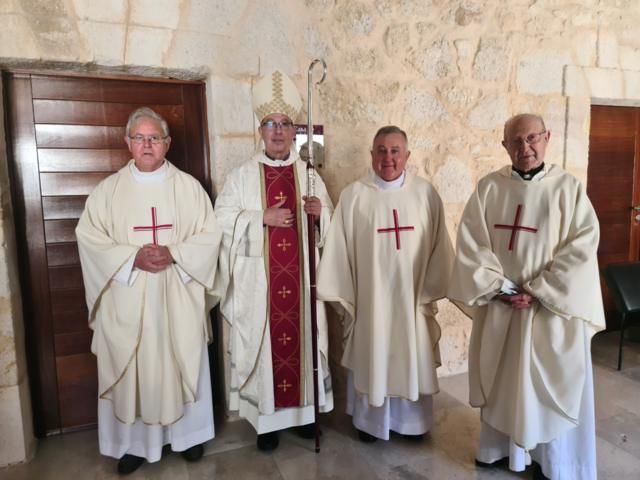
(445, 454)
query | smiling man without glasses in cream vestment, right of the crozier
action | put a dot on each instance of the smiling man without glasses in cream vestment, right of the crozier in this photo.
(386, 262)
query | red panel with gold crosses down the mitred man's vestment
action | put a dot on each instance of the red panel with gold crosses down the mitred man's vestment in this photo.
(286, 299)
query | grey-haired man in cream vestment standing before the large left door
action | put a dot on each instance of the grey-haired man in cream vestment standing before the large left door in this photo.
(148, 242)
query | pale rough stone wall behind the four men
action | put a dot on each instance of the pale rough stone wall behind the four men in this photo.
(450, 72)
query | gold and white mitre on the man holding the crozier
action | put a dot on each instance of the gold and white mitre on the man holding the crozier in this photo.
(276, 93)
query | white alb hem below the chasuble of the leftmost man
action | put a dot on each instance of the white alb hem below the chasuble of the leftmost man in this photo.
(195, 427)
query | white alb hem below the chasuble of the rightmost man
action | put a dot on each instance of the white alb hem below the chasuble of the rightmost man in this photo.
(571, 456)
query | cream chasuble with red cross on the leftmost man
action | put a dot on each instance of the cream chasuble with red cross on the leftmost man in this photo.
(149, 336)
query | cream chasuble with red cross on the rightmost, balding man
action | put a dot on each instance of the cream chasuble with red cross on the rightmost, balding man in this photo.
(527, 367)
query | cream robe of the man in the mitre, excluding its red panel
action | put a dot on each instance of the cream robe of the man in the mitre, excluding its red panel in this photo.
(244, 261)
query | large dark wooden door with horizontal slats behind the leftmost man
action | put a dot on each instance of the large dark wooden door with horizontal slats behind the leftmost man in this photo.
(65, 134)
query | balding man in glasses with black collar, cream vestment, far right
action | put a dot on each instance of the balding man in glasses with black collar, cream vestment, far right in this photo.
(526, 265)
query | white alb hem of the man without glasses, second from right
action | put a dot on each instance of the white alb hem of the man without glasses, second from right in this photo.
(398, 414)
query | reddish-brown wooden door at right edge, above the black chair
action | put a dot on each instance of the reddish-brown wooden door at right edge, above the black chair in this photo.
(613, 186)
